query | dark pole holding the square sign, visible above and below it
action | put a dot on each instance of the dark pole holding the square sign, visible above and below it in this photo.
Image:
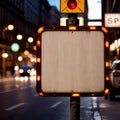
(74, 101)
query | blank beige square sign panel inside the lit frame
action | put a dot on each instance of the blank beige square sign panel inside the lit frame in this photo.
(72, 61)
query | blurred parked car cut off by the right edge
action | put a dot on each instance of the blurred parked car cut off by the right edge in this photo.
(114, 79)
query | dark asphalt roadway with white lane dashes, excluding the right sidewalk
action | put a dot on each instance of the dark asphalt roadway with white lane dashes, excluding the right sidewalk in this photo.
(19, 100)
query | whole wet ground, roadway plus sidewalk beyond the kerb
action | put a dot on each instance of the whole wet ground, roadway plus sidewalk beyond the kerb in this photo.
(19, 100)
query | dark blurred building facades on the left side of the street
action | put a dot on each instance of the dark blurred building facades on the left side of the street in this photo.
(26, 16)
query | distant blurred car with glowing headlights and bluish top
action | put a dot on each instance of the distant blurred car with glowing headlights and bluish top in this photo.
(25, 70)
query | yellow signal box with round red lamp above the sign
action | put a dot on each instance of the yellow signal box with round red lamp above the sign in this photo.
(72, 6)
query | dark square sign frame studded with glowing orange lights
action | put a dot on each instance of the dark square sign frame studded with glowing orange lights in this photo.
(73, 28)
